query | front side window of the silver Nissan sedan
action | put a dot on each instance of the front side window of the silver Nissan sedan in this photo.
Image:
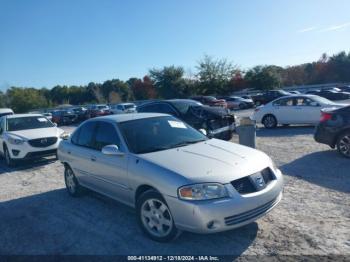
(106, 134)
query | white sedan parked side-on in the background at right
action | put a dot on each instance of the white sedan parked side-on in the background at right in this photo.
(294, 109)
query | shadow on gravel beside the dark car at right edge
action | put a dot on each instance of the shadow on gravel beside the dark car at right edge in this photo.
(324, 168)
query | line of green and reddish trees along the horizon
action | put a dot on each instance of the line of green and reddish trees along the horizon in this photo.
(212, 77)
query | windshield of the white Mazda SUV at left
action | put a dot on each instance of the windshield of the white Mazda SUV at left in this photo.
(28, 122)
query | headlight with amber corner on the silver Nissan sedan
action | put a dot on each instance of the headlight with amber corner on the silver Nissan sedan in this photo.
(202, 191)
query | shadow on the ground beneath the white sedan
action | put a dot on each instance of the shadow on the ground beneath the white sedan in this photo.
(287, 131)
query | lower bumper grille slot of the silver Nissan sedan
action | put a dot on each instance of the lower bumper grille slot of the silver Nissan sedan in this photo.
(236, 219)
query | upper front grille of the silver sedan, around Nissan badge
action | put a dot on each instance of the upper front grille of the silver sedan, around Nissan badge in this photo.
(245, 185)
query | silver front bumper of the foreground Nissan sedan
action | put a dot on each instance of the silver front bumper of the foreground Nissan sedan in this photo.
(225, 214)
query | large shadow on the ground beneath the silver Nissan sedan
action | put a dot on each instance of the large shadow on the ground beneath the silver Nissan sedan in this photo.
(55, 223)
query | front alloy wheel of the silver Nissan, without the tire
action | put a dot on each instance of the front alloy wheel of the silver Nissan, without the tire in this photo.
(156, 217)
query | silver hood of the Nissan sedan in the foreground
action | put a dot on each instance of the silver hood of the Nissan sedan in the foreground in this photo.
(211, 161)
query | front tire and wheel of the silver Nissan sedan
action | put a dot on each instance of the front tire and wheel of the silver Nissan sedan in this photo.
(154, 217)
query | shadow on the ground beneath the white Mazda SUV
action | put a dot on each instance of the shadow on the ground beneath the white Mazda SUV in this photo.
(26, 165)
